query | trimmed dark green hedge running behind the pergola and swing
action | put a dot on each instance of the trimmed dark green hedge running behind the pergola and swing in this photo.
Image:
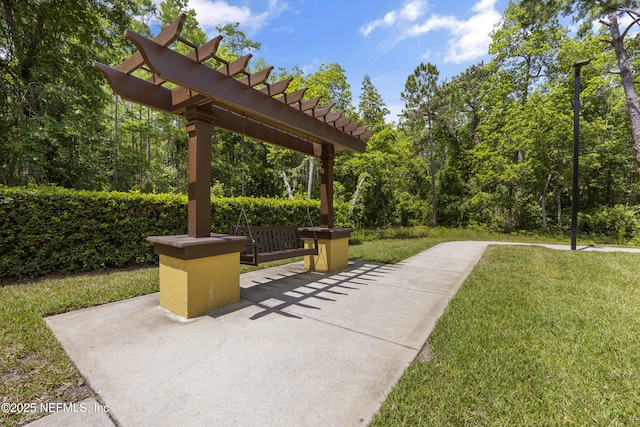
(51, 229)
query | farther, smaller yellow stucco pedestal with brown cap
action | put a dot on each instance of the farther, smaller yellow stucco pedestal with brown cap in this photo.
(333, 249)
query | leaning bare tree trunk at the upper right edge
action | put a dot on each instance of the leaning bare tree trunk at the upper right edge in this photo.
(633, 106)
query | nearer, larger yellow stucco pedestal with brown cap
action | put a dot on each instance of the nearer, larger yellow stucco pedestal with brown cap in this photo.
(198, 275)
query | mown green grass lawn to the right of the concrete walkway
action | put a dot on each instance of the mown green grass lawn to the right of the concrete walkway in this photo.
(534, 337)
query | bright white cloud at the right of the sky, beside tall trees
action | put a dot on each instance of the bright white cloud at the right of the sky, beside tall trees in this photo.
(470, 38)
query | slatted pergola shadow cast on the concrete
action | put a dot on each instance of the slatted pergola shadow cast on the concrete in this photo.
(275, 293)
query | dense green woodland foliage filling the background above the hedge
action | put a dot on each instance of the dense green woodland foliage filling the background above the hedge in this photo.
(499, 134)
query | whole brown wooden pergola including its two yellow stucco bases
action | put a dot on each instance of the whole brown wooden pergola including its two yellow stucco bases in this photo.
(200, 272)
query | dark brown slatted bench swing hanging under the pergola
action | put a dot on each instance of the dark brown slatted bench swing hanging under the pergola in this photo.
(272, 243)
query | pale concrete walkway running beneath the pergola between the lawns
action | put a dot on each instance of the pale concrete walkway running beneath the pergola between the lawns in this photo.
(300, 349)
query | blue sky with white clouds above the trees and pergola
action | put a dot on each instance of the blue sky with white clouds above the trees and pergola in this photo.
(384, 39)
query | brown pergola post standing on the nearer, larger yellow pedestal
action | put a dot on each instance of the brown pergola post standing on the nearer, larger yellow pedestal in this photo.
(200, 129)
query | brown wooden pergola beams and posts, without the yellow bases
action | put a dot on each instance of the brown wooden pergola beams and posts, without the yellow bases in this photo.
(233, 99)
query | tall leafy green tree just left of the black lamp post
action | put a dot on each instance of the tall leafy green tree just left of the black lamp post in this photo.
(525, 57)
